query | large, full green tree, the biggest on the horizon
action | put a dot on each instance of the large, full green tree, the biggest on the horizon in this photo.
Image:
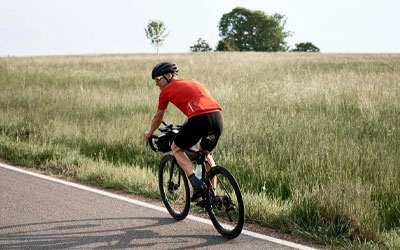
(246, 30)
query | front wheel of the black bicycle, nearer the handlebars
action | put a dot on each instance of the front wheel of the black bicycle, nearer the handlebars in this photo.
(174, 187)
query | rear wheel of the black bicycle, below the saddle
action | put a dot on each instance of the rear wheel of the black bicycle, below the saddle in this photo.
(226, 210)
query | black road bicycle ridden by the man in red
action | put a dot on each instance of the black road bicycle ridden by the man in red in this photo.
(223, 203)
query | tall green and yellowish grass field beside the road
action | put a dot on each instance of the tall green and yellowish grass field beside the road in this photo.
(313, 139)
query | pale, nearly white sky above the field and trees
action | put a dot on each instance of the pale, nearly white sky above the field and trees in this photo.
(59, 27)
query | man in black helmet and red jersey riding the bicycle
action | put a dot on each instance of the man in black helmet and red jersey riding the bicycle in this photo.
(204, 118)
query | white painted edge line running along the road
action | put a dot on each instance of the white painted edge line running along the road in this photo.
(147, 205)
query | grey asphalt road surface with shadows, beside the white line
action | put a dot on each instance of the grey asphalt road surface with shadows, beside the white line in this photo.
(36, 213)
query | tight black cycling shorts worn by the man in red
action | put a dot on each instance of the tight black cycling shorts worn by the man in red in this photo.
(207, 127)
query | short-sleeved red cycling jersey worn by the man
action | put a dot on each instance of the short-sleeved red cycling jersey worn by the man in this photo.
(188, 95)
